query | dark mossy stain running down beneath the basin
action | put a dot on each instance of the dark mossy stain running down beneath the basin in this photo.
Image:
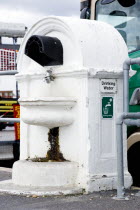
(54, 153)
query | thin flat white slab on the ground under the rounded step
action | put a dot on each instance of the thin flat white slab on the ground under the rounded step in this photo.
(10, 188)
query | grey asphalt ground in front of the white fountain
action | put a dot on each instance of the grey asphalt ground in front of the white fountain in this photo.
(97, 200)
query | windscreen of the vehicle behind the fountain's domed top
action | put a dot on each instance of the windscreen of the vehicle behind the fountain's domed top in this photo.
(125, 19)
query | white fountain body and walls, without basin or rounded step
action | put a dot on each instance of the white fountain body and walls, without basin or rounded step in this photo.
(92, 50)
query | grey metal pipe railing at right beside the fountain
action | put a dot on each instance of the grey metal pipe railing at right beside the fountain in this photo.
(119, 130)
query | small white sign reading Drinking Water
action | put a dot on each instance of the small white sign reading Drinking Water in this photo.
(108, 85)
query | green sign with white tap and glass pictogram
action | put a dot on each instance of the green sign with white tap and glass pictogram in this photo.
(107, 107)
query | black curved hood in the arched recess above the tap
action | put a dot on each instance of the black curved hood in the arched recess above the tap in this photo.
(45, 50)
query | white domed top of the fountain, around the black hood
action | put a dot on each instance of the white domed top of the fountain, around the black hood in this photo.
(86, 44)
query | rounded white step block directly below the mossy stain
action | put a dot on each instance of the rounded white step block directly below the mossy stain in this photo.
(44, 174)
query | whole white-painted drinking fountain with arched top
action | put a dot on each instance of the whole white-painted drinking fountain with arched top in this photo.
(93, 56)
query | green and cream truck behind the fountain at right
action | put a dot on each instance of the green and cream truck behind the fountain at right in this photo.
(124, 15)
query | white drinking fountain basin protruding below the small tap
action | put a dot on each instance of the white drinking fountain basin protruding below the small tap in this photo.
(47, 111)
